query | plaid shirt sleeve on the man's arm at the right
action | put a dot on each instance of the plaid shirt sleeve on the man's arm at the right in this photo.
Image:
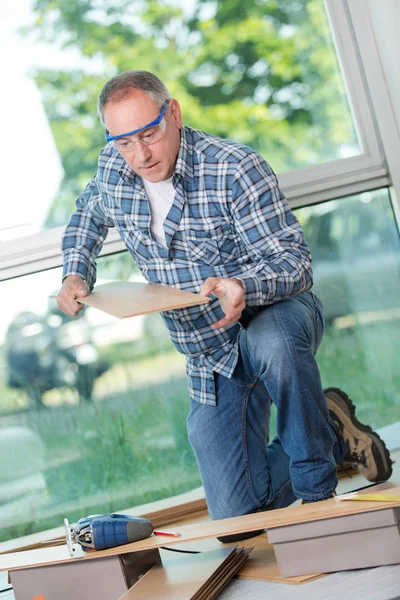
(272, 234)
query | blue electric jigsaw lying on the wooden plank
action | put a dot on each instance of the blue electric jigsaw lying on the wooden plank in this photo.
(98, 532)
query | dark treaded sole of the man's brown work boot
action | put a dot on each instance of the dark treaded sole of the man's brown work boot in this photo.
(380, 452)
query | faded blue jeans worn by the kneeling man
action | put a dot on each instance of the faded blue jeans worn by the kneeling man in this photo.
(241, 473)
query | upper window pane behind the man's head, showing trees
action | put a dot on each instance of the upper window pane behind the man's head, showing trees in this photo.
(262, 73)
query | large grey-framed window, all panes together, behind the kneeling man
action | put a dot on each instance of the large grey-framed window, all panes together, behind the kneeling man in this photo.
(92, 411)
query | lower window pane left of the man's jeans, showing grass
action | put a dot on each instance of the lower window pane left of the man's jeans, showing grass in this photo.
(92, 409)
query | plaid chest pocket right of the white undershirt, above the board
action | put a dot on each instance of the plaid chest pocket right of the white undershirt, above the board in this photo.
(212, 246)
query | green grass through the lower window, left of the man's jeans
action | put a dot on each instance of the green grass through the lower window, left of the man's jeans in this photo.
(127, 451)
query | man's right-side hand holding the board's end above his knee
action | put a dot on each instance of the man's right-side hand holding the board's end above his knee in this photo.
(231, 298)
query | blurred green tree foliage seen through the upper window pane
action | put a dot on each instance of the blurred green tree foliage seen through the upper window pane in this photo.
(263, 72)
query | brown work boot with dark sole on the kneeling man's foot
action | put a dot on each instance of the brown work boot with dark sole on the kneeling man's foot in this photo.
(365, 450)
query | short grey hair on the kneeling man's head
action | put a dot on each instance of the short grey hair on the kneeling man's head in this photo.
(119, 86)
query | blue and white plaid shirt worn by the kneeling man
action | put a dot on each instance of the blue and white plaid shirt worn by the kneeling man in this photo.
(229, 219)
